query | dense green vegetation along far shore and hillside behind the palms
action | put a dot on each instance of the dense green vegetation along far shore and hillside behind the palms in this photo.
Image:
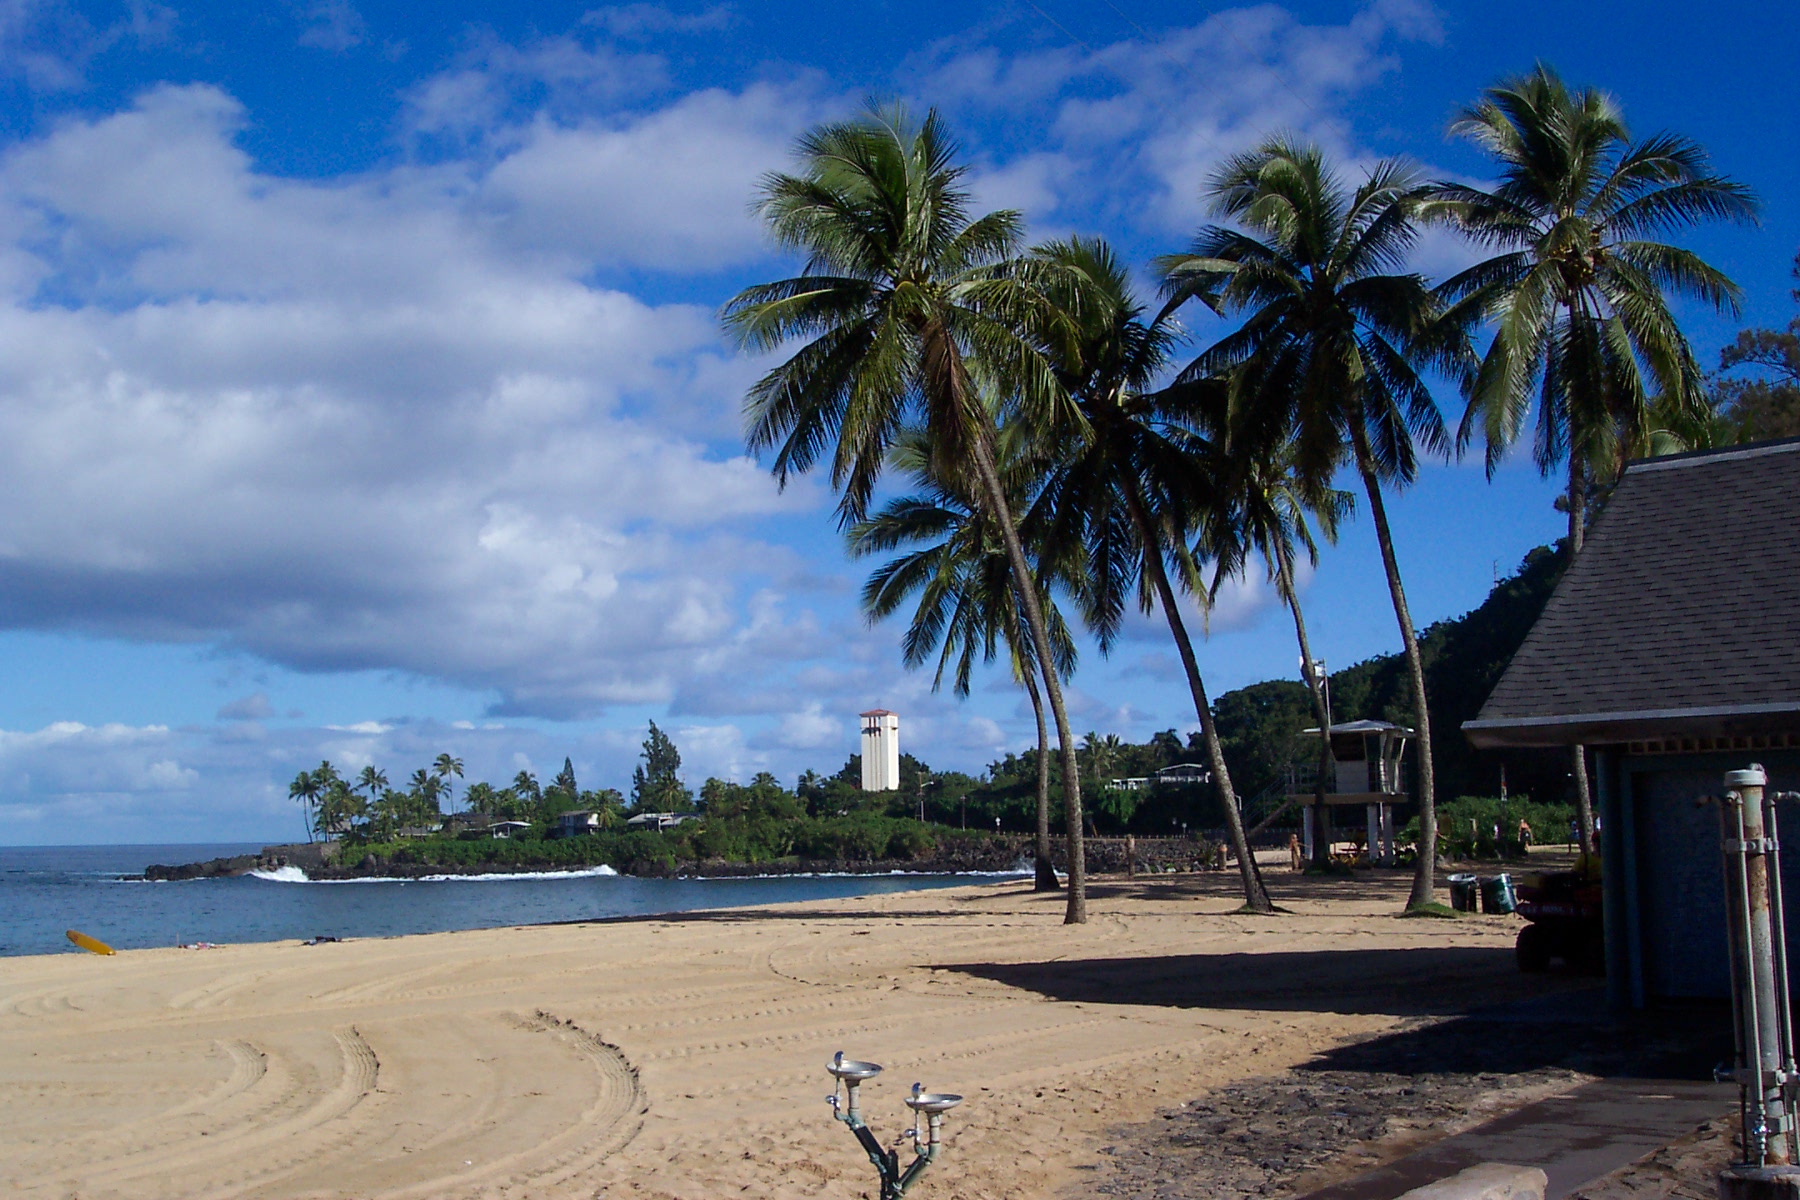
(829, 818)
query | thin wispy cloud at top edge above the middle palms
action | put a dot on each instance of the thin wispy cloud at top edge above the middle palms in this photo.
(1129, 130)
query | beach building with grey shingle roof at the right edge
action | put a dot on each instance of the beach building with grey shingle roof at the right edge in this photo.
(1671, 650)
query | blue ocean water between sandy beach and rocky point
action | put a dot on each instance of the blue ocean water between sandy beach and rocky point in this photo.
(46, 891)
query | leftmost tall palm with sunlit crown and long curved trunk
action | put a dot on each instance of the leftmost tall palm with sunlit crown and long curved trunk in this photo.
(903, 303)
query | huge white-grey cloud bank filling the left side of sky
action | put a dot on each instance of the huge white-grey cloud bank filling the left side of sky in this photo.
(348, 425)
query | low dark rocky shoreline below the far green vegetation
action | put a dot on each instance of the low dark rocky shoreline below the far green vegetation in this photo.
(991, 855)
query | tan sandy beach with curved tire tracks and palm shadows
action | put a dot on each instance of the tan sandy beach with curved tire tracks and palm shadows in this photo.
(685, 1057)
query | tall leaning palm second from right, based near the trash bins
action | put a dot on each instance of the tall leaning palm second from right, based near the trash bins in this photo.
(1331, 350)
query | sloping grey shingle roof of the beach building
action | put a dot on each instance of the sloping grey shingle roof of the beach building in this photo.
(1680, 616)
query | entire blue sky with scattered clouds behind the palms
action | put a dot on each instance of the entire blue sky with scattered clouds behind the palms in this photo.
(361, 393)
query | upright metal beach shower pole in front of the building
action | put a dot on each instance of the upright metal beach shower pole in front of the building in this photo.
(1759, 971)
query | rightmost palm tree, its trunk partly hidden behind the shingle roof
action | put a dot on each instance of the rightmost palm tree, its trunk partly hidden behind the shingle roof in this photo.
(1576, 294)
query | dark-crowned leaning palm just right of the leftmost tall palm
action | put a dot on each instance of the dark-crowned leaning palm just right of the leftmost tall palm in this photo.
(1133, 490)
